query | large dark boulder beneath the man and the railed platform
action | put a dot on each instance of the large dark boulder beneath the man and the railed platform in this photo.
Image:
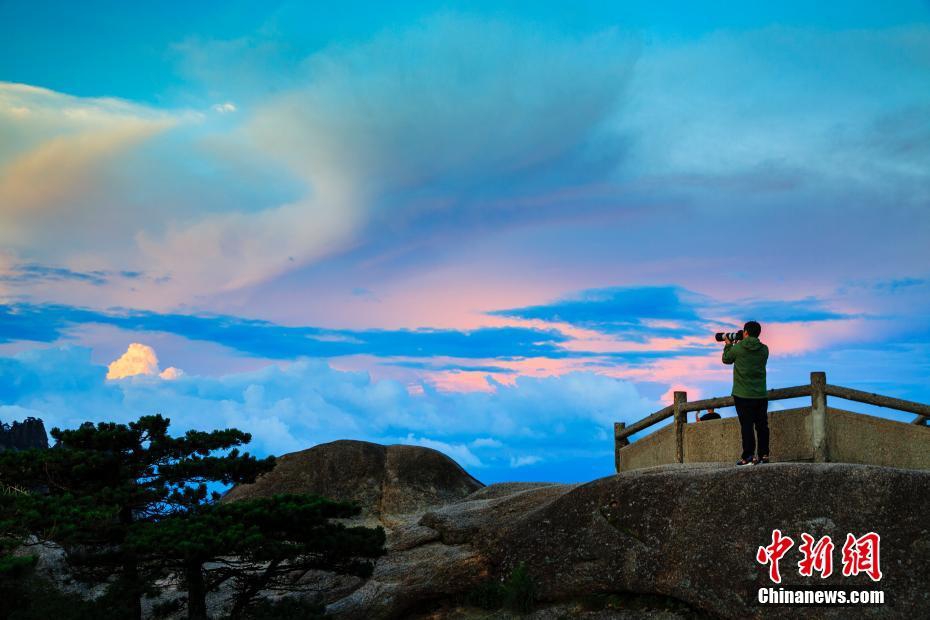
(691, 533)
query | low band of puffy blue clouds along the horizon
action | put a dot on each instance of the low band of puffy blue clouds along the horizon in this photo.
(555, 428)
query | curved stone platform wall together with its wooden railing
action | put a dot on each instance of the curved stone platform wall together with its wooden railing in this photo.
(817, 433)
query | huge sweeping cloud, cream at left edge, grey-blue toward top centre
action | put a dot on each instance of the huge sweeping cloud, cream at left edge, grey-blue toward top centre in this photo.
(449, 103)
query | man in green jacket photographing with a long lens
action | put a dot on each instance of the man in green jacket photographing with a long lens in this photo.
(748, 357)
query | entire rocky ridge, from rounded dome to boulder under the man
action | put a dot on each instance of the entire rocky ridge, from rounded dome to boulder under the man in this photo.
(685, 537)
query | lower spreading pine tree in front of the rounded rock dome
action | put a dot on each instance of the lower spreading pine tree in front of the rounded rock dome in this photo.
(259, 545)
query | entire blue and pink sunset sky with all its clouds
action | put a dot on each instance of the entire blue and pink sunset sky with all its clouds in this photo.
(491, 228)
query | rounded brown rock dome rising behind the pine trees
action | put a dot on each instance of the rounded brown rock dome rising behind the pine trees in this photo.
(383, 480)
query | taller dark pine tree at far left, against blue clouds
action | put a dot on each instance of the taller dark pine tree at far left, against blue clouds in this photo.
(99, 481)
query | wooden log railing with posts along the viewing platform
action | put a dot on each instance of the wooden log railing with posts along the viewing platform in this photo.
(818, 390)
